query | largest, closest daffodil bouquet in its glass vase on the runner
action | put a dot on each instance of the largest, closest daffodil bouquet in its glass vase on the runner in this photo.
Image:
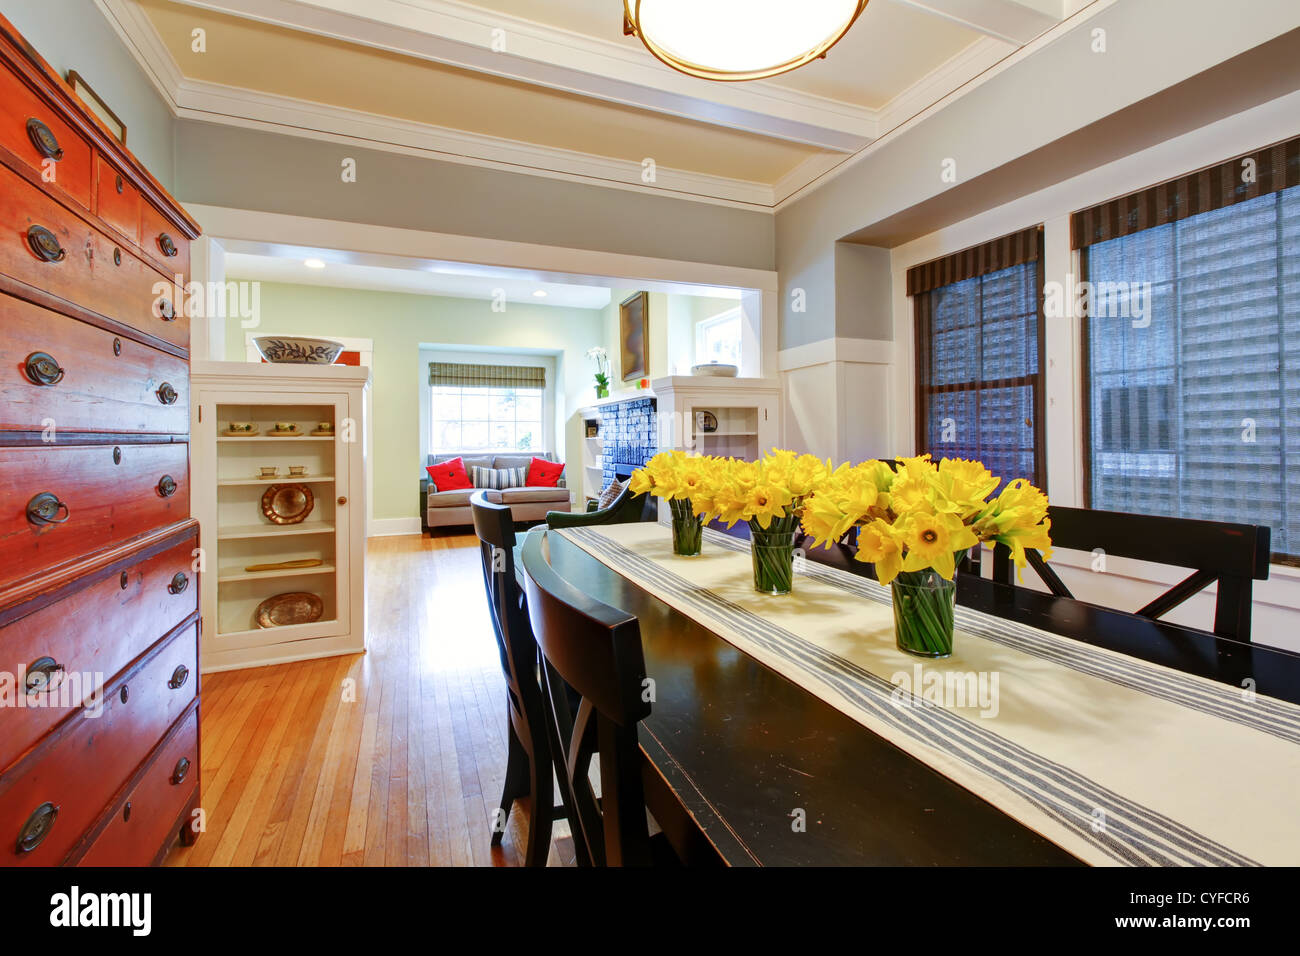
(916, 522)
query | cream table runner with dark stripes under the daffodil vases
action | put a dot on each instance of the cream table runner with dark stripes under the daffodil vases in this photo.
(1116, 760)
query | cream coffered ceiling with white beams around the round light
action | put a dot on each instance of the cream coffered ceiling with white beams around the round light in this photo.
(553, 88)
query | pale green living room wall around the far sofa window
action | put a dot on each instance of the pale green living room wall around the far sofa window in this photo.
(400, 325)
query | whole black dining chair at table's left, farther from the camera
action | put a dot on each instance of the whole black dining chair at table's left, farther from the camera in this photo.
(528, 763)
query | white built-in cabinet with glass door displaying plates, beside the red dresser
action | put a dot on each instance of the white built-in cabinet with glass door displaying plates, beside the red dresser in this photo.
(228, 495)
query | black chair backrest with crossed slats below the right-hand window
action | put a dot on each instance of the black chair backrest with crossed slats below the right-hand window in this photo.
(1219, 552)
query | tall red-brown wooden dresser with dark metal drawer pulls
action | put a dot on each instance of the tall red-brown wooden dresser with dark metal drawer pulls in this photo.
(99, 625)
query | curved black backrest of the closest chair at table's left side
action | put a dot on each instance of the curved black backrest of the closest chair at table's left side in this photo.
(592, 651)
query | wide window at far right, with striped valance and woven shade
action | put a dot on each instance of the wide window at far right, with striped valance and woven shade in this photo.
(1193, 348)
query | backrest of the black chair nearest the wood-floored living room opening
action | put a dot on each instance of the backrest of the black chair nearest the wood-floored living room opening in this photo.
(496, 530)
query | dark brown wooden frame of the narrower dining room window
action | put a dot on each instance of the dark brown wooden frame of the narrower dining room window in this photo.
(922, 353)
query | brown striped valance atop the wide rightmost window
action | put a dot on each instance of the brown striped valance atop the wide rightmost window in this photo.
(1253, 175)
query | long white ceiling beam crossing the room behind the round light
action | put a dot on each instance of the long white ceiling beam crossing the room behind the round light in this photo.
(463, 36)
